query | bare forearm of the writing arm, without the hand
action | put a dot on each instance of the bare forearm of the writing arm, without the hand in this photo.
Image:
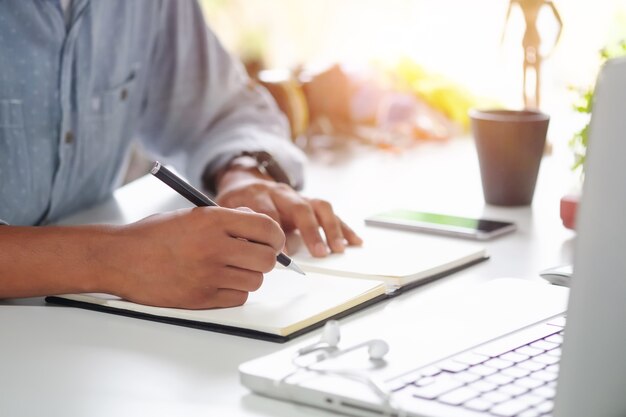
(36, 261)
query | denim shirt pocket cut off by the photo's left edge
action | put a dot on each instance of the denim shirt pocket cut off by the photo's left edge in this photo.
(15, 169)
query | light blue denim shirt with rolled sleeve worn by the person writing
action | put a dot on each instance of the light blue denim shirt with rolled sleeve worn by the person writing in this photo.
(74, 96)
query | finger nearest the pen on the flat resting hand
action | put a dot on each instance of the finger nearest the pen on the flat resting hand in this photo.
(301, 214)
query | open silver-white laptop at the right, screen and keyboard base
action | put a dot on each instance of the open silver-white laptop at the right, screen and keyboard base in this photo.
(555, 365)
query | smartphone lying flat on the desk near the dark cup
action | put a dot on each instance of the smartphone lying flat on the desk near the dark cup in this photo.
(481, 229)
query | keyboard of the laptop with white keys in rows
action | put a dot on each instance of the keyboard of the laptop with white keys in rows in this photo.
(512, 376)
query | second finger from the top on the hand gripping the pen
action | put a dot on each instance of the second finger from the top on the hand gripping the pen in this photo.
(252, 256)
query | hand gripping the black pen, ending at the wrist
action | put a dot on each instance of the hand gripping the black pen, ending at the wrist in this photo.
(199, 258)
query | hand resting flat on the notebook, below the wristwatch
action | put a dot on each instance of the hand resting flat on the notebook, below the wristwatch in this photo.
(245, 187)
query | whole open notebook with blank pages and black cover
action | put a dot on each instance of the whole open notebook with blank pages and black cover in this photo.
(288, 305)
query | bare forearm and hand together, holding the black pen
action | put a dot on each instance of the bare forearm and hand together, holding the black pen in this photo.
(196, 258)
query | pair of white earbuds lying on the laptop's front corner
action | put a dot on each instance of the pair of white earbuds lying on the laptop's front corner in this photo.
(329, 343)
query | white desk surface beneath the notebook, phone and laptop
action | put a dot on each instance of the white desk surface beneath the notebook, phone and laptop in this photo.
(58, 361)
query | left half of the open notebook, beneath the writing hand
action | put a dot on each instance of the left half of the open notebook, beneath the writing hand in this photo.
(282, 308)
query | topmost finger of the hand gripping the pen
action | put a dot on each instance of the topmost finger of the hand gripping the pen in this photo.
(254, 227)
